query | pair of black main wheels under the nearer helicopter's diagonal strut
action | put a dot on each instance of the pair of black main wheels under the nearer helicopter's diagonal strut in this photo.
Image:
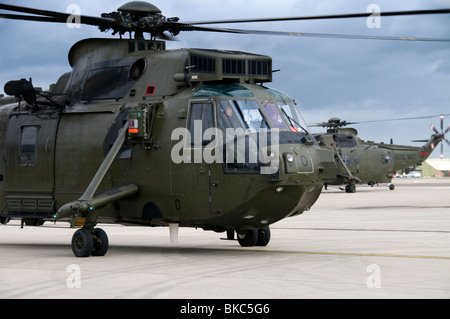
(87, 243)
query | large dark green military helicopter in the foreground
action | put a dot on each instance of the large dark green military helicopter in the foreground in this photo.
(136, 134)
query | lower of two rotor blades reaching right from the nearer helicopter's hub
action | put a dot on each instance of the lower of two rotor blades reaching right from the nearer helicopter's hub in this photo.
(313, 35)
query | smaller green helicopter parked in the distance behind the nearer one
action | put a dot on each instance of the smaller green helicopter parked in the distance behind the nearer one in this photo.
(359, 161)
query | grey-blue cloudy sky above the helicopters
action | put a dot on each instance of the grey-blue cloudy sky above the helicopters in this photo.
(355, 80)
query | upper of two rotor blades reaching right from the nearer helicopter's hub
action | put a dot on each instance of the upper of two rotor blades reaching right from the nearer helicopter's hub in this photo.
(332, 16)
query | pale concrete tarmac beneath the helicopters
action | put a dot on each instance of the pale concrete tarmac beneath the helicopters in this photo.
(375, 243)
